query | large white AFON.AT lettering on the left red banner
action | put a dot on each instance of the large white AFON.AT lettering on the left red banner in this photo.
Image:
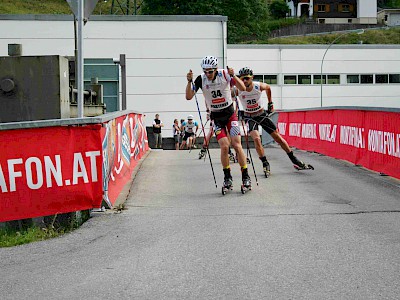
(36, 171)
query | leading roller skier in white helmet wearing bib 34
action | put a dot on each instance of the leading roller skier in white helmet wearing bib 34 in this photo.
(215, 84)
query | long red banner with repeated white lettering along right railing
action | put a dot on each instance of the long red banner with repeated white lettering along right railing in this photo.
(367, 138)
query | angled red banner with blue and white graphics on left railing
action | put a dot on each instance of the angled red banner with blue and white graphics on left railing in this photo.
(124, 143)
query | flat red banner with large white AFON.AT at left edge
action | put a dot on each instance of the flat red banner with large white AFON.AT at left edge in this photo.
(47, 171)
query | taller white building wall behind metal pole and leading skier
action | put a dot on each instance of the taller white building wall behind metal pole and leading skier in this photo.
(159, 52)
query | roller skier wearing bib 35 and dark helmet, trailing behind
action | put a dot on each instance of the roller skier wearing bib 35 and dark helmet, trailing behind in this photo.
(255, 114)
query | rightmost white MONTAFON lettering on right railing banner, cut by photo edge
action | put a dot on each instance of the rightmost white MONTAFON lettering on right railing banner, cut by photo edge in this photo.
(384, 142)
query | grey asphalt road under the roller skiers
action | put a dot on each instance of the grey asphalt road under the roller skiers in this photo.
(332, 233)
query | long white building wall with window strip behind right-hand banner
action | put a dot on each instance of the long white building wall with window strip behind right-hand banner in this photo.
(307, 59)
